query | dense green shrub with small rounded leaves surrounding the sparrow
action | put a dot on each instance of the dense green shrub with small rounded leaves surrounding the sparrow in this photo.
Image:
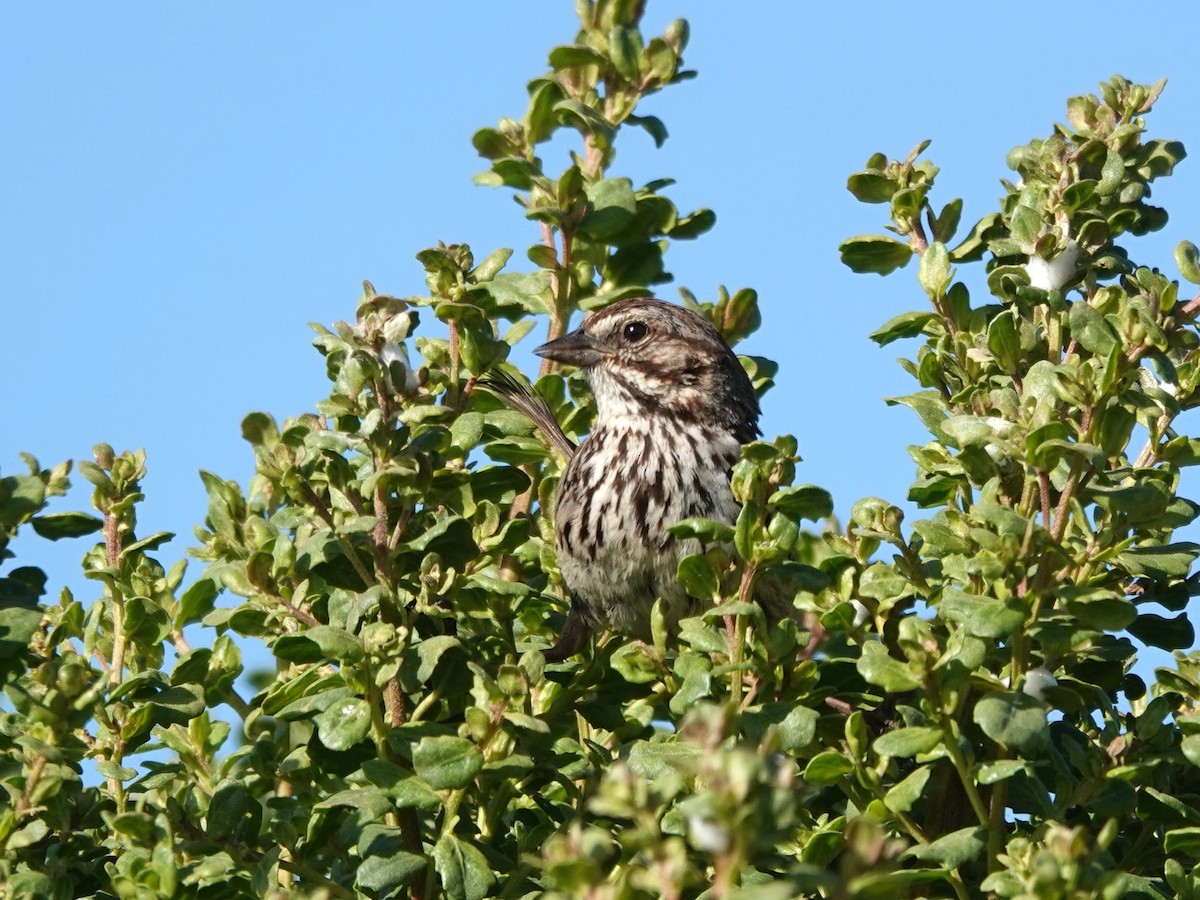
(958, 716)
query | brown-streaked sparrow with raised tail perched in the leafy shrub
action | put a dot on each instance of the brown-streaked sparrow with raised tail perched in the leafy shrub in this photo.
(674, 407)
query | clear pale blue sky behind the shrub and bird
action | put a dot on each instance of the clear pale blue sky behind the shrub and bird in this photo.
(185, 187)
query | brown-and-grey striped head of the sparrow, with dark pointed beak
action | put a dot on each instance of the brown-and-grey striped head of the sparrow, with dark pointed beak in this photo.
(646, 357)
